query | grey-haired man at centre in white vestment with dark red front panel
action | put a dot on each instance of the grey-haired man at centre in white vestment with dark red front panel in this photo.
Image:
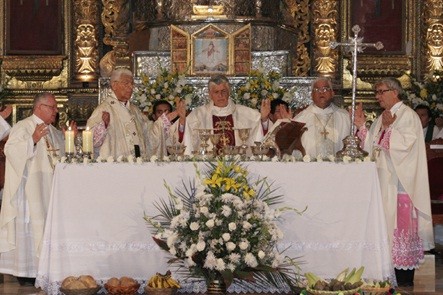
(223, 115)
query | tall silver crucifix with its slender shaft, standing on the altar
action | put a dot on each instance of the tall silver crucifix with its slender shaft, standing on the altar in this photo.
(354, 45)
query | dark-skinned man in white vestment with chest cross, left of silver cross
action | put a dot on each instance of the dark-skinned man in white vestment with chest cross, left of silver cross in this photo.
(327, 124)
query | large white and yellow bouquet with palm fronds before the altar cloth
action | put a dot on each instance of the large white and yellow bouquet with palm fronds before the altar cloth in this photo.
(225, 228)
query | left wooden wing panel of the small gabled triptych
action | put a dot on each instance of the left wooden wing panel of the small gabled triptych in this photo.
(179, 50)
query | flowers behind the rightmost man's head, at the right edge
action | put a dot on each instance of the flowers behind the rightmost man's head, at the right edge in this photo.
(429, 93)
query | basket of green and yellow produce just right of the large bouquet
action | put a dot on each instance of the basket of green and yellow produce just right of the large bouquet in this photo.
(346, 283)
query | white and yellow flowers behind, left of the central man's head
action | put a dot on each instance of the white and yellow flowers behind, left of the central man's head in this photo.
(167, 85)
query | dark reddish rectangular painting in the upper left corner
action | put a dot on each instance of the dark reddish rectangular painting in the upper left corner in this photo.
(34, 27)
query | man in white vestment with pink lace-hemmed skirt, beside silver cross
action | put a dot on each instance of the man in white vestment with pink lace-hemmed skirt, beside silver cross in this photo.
(395, 140)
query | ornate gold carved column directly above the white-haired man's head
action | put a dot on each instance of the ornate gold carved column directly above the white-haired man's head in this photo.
(116, 20)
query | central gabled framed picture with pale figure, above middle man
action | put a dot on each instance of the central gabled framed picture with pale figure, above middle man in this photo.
(210, 52)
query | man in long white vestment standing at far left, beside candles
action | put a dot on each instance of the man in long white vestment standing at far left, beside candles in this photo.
(31, 150)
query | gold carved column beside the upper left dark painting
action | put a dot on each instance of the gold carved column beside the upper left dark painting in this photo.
(86, 55)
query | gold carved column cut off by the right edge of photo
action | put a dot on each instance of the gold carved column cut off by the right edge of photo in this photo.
(433, 22)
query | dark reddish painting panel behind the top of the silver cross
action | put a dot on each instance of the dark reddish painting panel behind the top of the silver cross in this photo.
(380, 20)
